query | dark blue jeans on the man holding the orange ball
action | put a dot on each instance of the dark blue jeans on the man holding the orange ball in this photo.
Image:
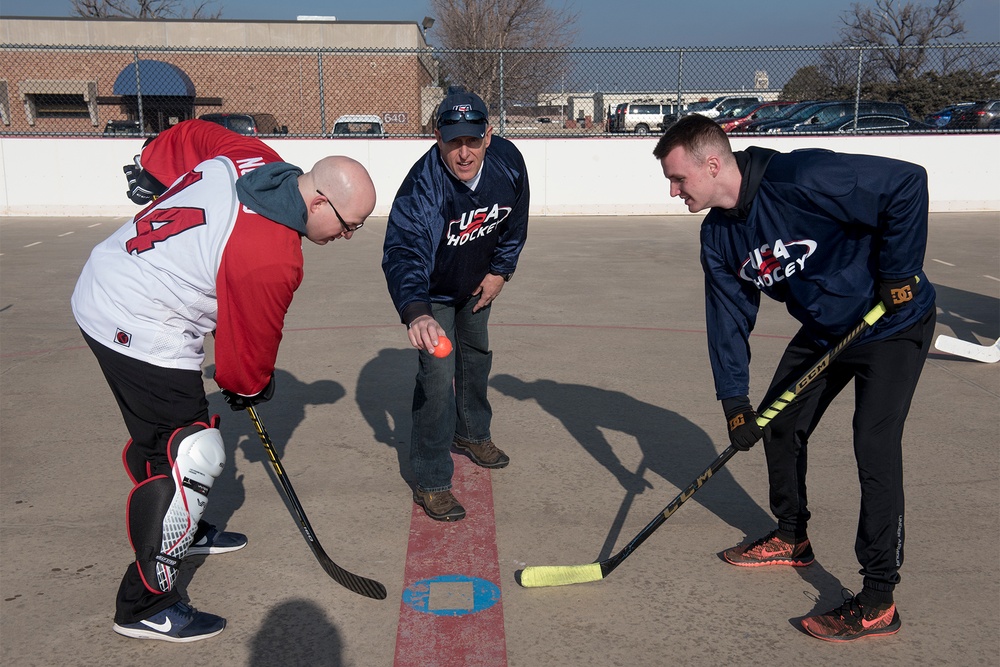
(449, 399)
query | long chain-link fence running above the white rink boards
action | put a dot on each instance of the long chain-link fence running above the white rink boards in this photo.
(87, 91)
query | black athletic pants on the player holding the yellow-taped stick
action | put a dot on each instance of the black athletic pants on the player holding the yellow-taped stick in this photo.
(885, 374)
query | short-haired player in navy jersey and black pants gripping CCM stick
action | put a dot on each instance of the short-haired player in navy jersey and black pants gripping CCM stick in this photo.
(830, 235)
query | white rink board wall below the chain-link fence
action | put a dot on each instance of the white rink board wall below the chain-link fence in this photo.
(70, 176)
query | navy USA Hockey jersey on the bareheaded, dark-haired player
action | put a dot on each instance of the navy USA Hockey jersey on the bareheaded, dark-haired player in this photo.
(818, 231)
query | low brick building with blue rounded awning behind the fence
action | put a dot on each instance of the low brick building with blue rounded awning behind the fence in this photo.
(74, 75)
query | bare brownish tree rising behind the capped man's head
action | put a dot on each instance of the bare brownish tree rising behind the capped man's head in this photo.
(490, 26)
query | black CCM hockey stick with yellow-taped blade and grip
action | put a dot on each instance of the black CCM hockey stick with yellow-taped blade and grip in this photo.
(561, 575)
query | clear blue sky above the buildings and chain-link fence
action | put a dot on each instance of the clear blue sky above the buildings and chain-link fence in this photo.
(608, 23)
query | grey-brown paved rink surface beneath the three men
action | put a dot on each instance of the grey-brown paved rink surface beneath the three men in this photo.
(603, 398)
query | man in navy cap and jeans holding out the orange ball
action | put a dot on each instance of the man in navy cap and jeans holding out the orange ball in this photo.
(455, 231)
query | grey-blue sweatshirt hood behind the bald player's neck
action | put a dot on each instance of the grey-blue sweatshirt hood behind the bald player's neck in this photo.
(273, 192)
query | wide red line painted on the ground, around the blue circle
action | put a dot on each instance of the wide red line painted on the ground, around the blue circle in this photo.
(467, 547)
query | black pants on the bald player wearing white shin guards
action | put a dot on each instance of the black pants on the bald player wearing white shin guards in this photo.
(154, 402)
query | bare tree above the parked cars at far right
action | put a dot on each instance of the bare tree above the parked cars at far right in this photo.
(893, 24)
